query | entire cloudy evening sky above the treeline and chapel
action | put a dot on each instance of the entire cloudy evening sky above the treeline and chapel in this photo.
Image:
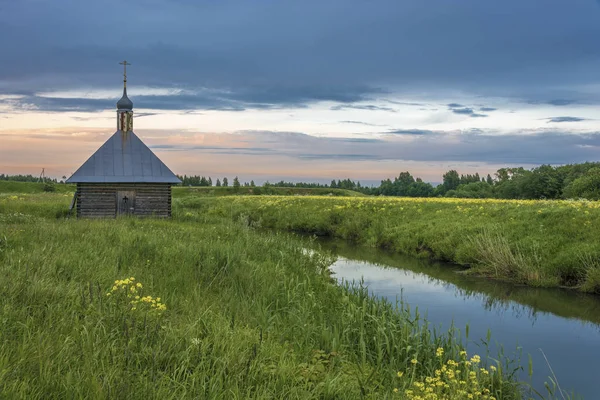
(303, 90)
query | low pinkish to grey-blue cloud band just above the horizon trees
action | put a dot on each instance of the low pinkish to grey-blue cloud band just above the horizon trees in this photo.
(253, 153)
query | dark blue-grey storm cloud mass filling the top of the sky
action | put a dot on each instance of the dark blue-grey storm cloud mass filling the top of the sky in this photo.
(264, 54)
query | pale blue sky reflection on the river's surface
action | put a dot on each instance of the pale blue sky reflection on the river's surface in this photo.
(572, 346)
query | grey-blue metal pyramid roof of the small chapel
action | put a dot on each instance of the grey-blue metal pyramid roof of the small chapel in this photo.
(123, 158)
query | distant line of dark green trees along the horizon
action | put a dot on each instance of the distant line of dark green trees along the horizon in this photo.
(543, 182)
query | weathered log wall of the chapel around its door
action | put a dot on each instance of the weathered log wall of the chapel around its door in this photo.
(99, 200)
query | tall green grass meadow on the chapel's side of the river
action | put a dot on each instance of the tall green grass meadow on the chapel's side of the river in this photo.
(237, 313)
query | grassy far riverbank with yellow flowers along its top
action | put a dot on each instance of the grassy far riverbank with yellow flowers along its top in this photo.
(538, 243)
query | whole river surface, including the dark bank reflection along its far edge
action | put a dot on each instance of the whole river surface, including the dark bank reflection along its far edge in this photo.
(565, 325)
